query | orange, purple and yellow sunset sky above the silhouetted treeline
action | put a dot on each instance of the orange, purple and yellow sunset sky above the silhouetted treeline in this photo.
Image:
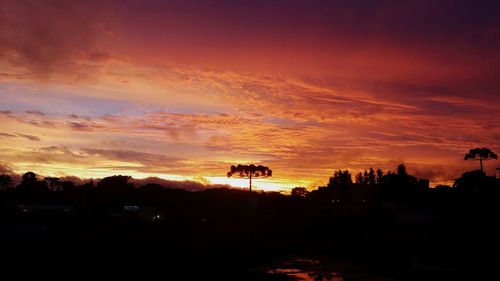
(182, 90)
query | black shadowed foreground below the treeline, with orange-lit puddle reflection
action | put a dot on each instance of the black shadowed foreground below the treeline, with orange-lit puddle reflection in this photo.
(237, 235)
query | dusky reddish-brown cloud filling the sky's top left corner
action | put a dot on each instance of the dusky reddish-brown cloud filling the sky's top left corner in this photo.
(48, 37)
